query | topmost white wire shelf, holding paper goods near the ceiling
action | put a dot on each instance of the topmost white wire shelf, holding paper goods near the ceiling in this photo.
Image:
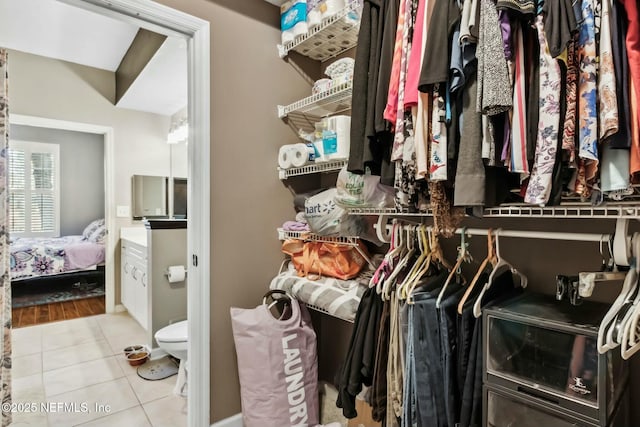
(333, 36)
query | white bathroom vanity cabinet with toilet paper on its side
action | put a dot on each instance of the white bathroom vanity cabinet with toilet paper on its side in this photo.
(146, 292)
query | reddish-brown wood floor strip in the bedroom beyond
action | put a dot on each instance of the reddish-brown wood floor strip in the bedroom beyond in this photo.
(37, 314)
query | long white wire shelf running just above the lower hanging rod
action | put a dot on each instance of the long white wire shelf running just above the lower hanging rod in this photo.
(612, 211)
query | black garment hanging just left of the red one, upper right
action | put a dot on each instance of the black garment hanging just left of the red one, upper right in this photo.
(619, 24)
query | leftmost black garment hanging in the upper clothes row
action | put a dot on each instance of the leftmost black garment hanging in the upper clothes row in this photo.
(365, 74)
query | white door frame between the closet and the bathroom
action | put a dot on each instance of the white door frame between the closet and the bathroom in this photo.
(165, 20)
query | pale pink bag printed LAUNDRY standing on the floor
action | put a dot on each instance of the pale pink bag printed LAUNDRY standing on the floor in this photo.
(277, 363)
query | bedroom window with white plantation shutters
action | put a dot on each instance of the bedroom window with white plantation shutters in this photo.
(34, 189)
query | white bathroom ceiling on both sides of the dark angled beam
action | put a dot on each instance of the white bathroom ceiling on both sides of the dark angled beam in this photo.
(57, 30)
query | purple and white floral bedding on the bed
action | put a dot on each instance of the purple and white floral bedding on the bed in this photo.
(31, 257)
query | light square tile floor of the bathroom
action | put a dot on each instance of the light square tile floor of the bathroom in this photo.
(76, 369)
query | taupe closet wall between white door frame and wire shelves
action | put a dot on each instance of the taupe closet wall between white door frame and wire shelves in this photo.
(248, 202)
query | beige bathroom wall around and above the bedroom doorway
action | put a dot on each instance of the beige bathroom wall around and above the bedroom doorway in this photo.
(53, 89)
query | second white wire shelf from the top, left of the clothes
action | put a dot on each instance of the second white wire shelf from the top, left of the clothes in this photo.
(303, 114)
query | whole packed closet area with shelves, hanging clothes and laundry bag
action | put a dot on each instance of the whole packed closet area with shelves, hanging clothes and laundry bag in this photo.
(462, 239)
